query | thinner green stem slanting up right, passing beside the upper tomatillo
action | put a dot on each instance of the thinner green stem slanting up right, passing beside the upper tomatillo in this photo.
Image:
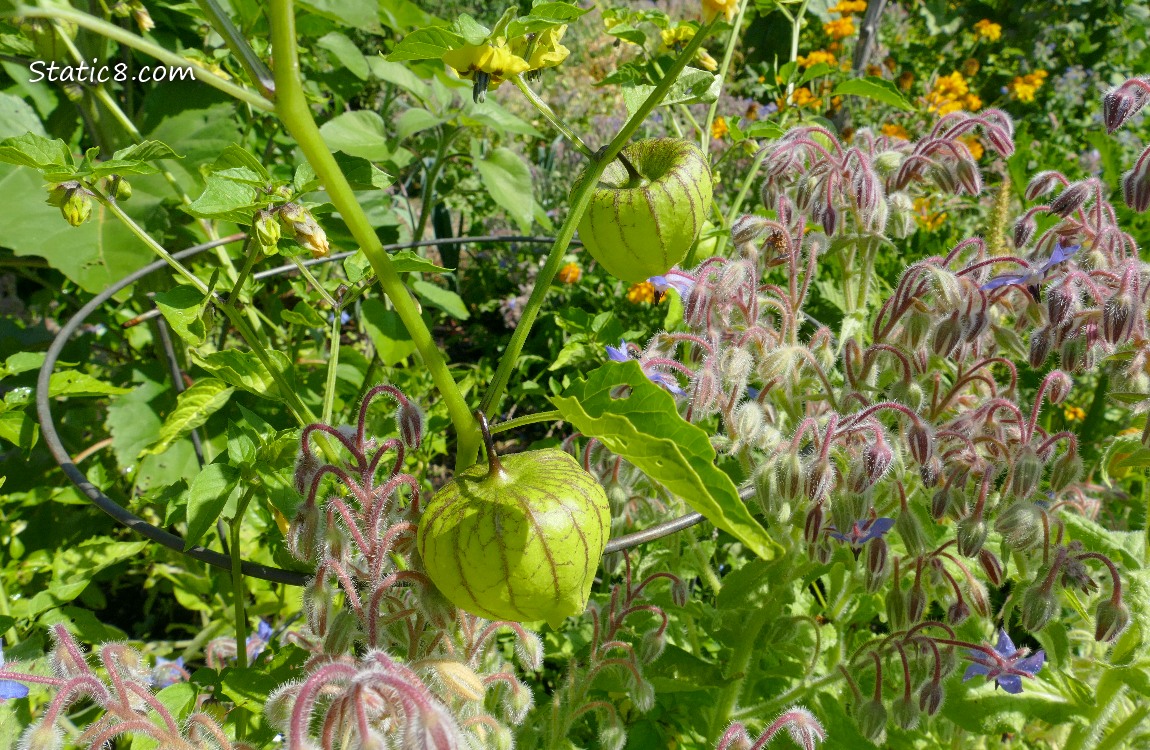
(581, 200)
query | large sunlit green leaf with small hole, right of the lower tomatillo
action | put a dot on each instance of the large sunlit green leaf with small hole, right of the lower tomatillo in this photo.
(645, 428)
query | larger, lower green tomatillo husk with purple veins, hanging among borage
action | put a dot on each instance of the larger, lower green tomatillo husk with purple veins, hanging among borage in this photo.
(517, 540)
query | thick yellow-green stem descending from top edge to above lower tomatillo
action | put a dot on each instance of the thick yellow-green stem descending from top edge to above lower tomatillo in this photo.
(293, 108)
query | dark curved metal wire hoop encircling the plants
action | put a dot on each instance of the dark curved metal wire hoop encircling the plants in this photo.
(198, 553)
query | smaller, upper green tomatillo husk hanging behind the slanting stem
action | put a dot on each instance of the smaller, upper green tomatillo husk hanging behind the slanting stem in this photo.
(645, 217)
